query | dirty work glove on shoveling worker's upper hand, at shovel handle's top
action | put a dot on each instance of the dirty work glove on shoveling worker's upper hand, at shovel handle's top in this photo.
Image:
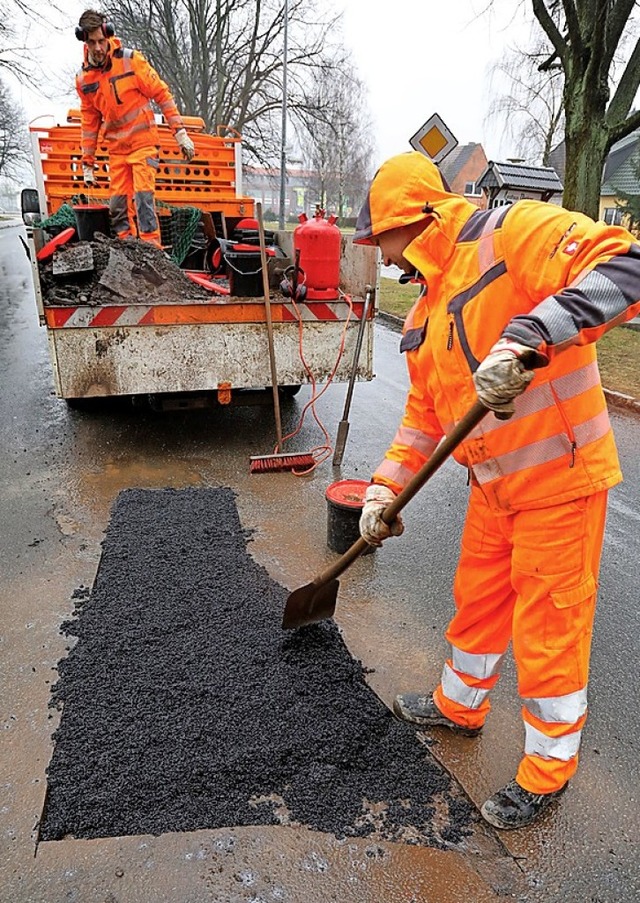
(502, 375)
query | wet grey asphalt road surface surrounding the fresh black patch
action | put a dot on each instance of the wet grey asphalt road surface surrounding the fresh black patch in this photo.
(62, 471)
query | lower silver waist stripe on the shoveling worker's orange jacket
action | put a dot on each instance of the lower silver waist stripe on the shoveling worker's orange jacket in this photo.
(544, 451)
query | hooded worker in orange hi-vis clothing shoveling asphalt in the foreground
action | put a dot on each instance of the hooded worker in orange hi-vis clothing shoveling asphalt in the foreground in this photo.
(514, 298)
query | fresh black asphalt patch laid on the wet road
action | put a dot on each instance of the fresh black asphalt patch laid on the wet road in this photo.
(185, 706)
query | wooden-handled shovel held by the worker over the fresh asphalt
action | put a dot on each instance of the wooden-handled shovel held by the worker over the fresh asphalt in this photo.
(317, 600)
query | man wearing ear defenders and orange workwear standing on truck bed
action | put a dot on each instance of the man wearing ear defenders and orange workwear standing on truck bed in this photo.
(115, 86)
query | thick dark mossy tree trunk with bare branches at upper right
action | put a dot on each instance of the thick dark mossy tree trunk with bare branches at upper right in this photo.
(585, 36)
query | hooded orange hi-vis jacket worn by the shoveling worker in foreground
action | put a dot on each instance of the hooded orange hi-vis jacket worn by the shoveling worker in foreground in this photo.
(532, 272)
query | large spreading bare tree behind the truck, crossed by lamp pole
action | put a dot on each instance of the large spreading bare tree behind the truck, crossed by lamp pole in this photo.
(223, 59)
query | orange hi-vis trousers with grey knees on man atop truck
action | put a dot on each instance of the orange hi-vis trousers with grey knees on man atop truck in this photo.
(133, 182)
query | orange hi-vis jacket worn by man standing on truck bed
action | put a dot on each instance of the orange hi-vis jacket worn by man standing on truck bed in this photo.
(117, 96)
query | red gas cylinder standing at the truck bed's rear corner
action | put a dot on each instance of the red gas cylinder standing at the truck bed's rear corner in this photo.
(318, 240)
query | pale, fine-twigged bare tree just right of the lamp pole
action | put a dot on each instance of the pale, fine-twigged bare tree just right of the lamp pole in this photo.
(337, 138)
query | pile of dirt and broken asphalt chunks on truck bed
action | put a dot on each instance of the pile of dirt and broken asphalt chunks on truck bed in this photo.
(112, 271)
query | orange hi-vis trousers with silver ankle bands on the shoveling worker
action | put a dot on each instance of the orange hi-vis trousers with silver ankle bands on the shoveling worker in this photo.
(529, 577)
